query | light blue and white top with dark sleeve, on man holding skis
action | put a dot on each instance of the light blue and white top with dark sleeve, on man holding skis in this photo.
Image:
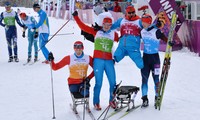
(151, 37)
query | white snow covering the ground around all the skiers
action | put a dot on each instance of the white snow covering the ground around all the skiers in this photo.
(25, 91)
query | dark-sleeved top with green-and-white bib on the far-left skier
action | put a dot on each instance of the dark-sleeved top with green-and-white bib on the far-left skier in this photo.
(9, 19)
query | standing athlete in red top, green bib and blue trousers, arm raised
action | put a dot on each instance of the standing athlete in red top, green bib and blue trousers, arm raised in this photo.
(103, 42)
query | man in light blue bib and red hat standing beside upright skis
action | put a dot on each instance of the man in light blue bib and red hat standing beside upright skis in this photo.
(151, 36)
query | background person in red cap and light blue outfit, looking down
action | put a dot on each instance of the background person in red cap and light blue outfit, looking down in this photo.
(30, 21)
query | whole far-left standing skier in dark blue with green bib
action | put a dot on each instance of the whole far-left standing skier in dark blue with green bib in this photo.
(9, 17)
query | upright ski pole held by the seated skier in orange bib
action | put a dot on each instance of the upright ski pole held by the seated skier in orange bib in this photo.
(52, 91)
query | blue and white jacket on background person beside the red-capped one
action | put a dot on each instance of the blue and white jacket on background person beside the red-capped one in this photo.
(43, 23)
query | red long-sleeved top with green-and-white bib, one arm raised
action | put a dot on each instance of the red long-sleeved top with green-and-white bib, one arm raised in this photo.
(103, 41)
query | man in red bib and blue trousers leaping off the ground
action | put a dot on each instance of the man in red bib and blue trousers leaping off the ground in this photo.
(129, 42)
